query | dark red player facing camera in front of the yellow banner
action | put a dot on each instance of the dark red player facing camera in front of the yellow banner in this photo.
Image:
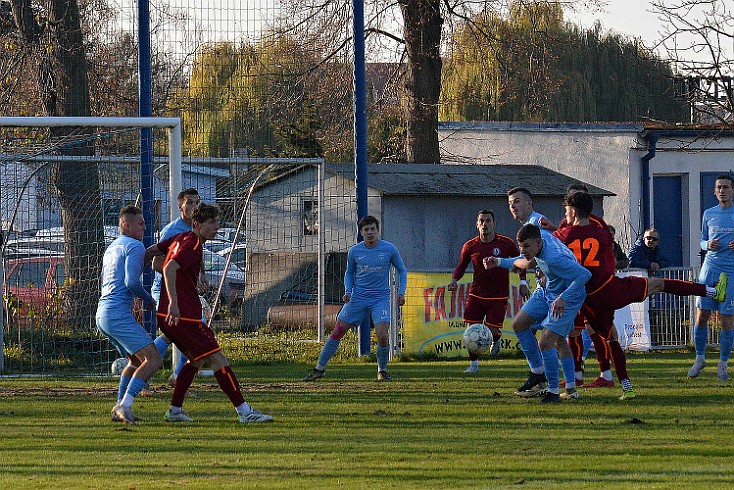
(489, 291)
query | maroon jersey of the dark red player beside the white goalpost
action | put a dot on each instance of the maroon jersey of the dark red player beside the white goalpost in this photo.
(186, 249)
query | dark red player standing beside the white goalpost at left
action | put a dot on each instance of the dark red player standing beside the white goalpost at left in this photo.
(179, 317)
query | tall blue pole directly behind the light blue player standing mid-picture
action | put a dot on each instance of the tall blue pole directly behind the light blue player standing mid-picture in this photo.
(360, 141)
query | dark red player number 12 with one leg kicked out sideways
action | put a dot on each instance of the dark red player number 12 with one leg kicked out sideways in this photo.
(606, 292)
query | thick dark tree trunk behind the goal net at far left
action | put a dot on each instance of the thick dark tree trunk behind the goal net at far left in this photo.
(50, 35)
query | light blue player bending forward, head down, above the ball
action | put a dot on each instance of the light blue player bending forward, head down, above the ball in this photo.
(556, 305)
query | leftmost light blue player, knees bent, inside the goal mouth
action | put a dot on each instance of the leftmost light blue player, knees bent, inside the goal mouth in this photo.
(122, 267)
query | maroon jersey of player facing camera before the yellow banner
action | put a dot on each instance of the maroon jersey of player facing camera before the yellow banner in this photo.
(487, 283)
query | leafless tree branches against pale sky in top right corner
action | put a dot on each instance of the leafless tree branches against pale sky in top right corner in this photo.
(698, 38)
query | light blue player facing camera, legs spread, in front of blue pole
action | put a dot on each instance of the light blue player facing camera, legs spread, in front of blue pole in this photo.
(367, 292)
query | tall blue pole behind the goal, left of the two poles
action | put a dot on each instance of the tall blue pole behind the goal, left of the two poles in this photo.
(145, 108)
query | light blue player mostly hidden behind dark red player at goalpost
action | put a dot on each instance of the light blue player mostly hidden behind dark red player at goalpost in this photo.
(188, 201)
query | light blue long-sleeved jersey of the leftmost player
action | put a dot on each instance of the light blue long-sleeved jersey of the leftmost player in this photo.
(122, 268)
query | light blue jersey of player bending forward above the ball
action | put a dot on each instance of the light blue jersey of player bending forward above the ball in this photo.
(564, 275)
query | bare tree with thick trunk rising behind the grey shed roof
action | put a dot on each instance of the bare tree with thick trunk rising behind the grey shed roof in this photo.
(413, 33)
